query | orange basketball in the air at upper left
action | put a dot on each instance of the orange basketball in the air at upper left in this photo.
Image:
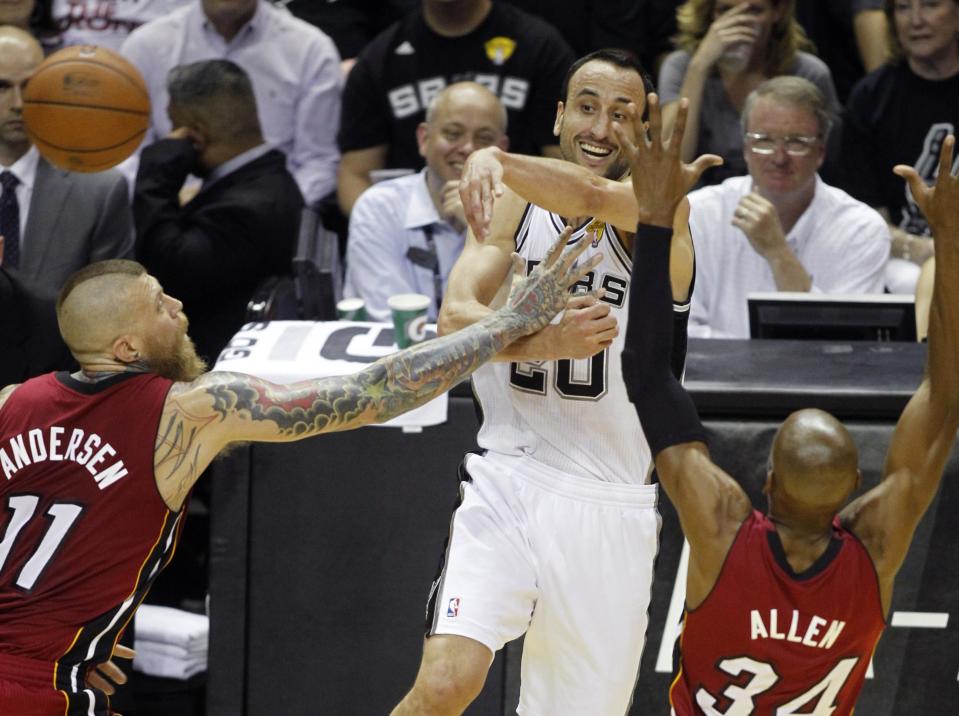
(86, 108)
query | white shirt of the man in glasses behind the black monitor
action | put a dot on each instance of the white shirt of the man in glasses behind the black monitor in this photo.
(842, 243)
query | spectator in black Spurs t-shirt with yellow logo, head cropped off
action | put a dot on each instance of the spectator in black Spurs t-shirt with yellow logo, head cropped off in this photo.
(520, 58)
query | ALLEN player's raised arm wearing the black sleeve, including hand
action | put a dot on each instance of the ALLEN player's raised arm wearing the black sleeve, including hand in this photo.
(711, 505)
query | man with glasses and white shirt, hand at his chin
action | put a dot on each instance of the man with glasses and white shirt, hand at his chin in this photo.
(781, 228)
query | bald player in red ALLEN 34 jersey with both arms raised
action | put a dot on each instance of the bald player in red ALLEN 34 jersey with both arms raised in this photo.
(784, 608)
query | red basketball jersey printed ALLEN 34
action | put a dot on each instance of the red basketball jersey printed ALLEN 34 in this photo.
(772, 642)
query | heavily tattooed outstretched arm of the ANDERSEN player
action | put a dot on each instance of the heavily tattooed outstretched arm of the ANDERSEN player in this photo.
(202, 417)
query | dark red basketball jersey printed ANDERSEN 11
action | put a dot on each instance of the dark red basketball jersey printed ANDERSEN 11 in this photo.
(83, 529)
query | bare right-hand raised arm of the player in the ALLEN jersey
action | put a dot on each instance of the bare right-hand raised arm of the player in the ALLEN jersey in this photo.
(886, 517)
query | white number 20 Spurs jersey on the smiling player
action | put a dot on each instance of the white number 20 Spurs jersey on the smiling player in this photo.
(572, 415)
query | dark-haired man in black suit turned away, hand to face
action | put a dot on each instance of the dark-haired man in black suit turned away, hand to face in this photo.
(240, 228)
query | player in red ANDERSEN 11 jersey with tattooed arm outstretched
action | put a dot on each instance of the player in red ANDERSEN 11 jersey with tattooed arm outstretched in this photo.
(97, 465)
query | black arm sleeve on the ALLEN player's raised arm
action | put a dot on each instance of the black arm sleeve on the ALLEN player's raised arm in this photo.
(665, 409)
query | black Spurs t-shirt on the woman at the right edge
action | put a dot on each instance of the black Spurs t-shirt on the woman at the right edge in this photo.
(896, 117)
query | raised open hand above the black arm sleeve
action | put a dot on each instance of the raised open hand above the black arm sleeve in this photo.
(660, 177)
